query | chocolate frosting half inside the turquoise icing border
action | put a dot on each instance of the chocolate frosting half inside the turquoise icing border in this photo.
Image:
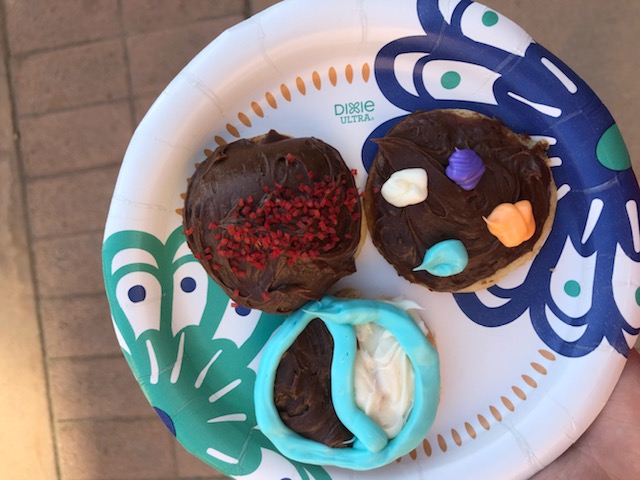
(302, 389)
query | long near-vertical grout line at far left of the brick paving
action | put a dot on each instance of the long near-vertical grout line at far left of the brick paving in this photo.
(5, 57)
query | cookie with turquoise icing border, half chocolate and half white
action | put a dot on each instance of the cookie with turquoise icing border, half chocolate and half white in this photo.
(352, 383)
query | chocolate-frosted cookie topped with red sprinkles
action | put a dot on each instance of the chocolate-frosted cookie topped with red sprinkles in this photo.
(275, 220)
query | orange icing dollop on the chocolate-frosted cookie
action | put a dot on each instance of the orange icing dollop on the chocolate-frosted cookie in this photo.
(512, 223)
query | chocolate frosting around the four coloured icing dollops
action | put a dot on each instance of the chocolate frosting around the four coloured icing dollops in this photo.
(514, 171)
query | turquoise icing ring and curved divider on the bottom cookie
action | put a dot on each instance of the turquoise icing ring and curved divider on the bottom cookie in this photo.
(371, 448)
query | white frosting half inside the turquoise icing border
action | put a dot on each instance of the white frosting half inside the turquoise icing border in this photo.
(384, 378)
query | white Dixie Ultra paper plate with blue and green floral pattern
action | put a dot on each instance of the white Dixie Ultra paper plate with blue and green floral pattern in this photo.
(526, 365)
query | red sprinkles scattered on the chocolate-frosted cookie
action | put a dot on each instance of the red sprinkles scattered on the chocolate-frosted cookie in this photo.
(286, 222)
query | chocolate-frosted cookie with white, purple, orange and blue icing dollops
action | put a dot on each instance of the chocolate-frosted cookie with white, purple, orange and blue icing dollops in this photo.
(455, 200)
